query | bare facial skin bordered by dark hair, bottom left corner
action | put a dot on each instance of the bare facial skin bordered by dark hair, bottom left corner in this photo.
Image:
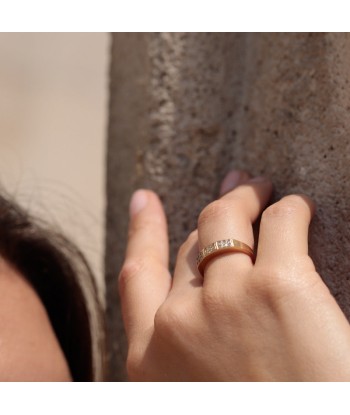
(29, 350)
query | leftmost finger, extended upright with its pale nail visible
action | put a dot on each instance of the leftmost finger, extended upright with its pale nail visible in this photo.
(144, 281)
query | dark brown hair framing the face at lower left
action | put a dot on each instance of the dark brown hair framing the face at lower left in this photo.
(61, 276)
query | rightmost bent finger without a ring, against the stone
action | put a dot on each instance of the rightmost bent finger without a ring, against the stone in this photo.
(284, 231)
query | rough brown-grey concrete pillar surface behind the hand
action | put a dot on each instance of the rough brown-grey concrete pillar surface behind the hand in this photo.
(185, 108)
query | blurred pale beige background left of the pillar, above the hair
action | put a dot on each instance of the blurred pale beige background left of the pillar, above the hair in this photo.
(53, 121)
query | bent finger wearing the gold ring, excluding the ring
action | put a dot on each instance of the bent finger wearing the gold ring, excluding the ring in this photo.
(231, 217)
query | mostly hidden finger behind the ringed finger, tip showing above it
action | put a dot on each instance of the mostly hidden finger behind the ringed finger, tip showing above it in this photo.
(186, 274)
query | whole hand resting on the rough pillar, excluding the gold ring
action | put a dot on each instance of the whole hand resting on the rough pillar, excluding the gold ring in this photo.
(274, 320)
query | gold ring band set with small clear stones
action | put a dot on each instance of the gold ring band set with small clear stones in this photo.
(220, 248)
